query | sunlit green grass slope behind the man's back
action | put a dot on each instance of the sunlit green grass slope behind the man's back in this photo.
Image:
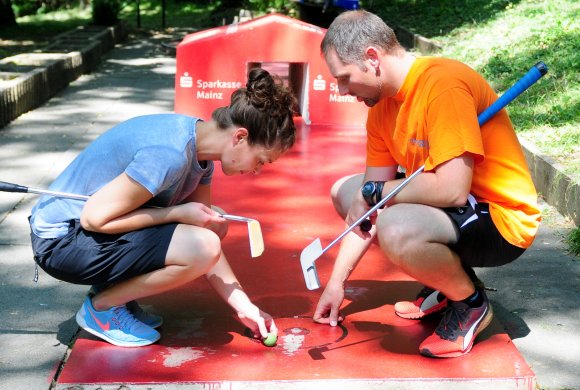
(505, 47)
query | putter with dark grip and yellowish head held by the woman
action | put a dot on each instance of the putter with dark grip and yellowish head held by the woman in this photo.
(254, 229)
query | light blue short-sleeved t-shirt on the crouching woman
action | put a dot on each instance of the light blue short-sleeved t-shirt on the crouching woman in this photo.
(157, 151)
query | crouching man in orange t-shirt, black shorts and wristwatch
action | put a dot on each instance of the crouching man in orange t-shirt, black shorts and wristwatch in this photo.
(474, 205)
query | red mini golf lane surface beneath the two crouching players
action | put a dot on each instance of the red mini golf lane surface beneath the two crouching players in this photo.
(203, 345)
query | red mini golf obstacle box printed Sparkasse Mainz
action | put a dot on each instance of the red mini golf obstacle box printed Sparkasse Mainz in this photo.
(211, 64)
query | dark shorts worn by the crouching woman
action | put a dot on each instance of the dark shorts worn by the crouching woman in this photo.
(83, 257)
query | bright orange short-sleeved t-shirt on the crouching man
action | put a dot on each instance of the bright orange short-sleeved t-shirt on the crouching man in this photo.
(433, 119)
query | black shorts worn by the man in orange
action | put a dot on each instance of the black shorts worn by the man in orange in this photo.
(480, 244)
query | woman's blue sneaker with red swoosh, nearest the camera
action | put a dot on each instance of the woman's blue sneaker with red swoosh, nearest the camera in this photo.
(116, 325)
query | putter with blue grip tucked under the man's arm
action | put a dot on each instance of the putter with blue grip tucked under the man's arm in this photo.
(314, 250)
